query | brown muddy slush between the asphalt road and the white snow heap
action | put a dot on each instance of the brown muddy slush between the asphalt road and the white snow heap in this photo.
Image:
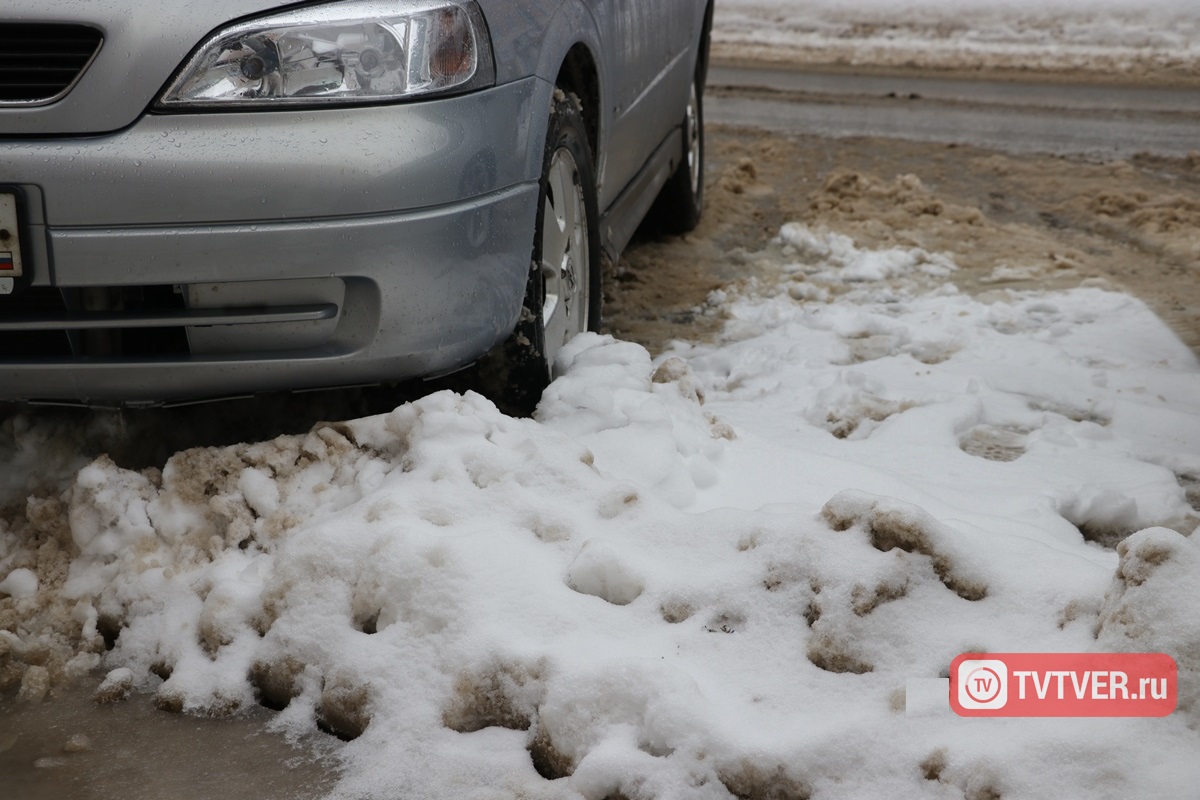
(1009, 222)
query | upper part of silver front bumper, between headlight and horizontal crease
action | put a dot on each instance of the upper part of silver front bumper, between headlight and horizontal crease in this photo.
(249, 166)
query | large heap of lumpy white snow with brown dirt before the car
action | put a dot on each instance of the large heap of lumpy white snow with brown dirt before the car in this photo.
(713, 575)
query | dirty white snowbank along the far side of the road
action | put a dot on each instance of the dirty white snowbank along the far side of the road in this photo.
(1107, 37)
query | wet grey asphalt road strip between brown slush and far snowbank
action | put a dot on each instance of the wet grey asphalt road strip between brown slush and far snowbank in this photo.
(1064, 119)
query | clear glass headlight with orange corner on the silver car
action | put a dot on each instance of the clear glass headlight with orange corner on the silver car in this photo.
(356, 52)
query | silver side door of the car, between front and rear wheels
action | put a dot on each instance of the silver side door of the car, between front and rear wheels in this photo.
(646, 46)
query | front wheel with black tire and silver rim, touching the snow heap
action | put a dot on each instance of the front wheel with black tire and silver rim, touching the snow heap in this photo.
(563, 293)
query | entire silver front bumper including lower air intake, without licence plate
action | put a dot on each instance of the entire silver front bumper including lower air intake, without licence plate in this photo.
(284, 250)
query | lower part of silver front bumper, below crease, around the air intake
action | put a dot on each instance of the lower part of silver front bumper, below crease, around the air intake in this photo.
(407, 276)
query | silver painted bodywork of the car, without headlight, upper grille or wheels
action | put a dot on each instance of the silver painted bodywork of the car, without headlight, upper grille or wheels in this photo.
(411, 221)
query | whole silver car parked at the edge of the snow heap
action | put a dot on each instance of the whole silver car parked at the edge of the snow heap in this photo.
(203, 200)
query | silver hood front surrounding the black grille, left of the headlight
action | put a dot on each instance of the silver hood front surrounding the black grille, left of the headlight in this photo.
(145, 45)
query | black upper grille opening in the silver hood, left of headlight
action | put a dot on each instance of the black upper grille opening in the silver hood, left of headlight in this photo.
(40, 63)
